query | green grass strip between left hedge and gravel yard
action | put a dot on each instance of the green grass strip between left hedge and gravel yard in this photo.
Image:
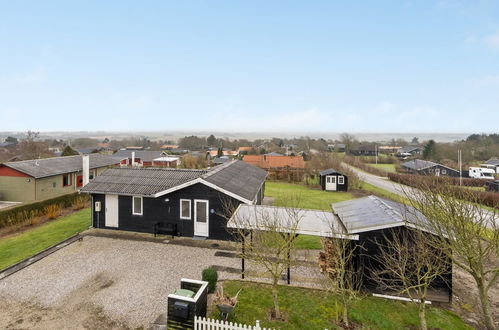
(20, 246)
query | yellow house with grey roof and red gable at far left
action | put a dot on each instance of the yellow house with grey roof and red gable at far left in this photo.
(38, 179)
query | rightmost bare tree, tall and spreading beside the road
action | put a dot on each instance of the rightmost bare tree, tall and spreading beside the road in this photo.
(470, 232)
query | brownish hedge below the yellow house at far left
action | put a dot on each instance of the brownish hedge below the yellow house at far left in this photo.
(24, 212)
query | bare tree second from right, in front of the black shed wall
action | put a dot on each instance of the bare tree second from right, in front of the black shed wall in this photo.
(410, 262)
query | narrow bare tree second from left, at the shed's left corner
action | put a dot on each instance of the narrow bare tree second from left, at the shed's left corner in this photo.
(338, 263)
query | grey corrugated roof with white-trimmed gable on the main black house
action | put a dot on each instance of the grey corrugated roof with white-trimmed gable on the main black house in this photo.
(236, 179)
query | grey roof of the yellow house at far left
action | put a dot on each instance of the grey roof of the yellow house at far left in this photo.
(40, 168)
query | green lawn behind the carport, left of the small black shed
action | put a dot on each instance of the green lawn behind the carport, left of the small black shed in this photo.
(295, 195)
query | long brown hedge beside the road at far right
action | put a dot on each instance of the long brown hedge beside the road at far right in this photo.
(483, 197)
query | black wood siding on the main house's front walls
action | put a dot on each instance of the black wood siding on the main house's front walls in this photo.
(158, 210)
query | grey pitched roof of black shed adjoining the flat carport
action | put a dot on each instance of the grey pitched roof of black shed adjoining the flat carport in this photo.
(372, 213)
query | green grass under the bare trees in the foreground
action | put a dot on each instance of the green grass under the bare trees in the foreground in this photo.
(315, 309)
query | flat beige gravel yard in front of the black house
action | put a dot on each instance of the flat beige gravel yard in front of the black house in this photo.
(102, 283)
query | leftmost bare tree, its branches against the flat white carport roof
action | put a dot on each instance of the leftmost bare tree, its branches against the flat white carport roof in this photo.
(272, 232)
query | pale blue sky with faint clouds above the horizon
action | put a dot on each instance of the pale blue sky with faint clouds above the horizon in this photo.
(359, 66)
